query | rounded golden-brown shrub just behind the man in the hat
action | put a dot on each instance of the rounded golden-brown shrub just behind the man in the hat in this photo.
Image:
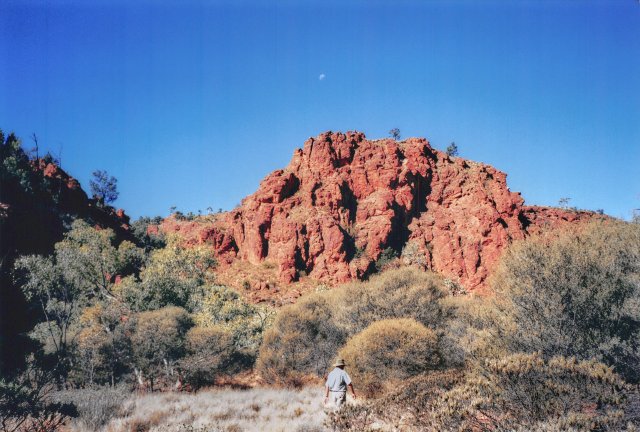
(389, 351)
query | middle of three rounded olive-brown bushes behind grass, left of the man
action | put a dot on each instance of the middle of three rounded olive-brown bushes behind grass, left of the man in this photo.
(158, 341)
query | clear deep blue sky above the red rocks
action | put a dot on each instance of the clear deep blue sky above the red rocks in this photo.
(192, 103)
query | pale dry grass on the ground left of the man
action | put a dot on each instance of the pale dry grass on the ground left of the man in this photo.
(264, 410)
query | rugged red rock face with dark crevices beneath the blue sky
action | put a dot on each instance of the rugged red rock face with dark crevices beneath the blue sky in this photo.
(344, 200)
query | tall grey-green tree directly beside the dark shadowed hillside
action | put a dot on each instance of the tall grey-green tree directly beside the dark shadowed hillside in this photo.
(77, 275)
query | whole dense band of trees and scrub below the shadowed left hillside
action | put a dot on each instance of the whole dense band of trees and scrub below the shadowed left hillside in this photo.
(116, 314)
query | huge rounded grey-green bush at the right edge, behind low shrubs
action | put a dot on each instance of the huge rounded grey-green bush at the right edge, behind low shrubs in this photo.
(576, 294)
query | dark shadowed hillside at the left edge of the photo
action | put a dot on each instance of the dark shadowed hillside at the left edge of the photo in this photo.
(38, 201)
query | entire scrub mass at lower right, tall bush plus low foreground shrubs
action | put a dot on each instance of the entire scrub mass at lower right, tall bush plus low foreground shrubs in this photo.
(555, 348)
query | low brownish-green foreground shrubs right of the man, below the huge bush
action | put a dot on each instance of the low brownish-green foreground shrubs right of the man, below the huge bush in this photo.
(519, 392)
